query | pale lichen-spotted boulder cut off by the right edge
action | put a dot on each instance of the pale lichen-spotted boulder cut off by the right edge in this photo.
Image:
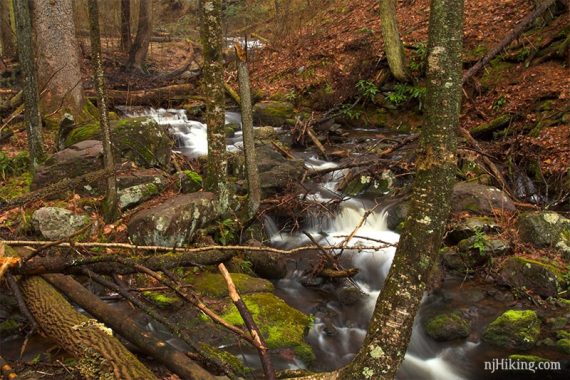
(543, 228)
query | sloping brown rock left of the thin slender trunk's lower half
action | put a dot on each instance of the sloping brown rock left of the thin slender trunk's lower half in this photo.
(78, 159)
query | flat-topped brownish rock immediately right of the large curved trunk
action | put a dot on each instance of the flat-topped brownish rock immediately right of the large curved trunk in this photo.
(479, 199)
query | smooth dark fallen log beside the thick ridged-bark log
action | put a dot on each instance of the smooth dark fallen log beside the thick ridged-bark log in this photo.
(145, 340)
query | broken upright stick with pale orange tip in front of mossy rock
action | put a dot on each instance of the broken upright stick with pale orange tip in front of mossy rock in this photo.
(250, 323)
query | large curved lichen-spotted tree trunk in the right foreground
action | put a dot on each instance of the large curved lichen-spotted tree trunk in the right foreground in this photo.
(391, 326)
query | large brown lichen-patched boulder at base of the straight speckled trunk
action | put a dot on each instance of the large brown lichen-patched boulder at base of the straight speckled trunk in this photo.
(174, 222)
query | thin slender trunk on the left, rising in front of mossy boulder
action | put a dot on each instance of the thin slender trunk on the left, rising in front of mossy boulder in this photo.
(110, 208)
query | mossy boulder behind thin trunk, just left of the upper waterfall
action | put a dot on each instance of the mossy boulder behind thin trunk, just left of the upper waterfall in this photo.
(141, 140)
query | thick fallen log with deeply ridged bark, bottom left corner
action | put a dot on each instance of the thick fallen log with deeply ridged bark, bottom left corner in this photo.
(101, 356)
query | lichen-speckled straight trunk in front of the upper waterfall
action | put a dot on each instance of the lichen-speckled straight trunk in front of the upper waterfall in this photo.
(212, 44)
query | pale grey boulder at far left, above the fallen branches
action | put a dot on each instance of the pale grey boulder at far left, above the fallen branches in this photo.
(56, 223)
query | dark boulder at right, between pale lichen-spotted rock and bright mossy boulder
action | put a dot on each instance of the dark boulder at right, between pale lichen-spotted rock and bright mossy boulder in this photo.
(540, 277)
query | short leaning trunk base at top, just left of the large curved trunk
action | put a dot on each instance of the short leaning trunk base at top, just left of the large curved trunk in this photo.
(392, 43)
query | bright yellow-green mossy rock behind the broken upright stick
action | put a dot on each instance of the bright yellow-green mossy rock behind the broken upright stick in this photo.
(280, 325)
